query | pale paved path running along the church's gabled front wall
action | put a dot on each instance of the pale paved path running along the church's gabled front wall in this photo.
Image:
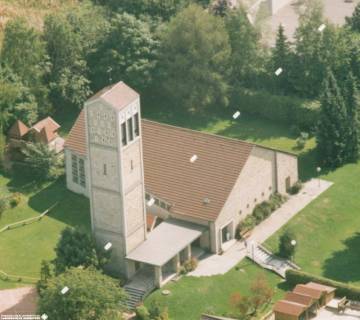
(219, 264)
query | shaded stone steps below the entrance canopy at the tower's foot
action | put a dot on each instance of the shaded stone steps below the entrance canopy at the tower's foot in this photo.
(139, 287)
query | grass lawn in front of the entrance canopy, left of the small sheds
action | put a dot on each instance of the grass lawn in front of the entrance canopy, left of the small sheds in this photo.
(192, 296)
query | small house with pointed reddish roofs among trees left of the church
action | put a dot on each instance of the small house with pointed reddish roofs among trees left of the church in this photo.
(45, 131)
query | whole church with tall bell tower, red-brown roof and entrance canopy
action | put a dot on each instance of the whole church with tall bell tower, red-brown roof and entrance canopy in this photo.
(199, 185)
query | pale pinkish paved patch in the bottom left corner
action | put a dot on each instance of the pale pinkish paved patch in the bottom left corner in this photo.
(18, 301)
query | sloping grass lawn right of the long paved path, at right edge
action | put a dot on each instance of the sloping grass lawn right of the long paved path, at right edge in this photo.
(328, 230)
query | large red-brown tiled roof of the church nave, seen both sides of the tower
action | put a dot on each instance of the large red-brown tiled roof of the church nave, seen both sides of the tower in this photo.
(171, 176)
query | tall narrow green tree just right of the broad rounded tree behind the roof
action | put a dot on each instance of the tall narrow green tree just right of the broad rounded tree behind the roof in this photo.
(246, 59)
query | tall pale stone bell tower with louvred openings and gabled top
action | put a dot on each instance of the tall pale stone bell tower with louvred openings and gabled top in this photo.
(117, 195)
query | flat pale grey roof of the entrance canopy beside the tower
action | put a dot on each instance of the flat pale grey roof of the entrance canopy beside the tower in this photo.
(166, 241)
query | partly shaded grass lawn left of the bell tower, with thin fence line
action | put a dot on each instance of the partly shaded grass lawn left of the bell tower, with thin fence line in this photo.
(22, 249)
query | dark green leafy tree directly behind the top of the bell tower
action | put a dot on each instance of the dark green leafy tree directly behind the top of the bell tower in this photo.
(127, 53)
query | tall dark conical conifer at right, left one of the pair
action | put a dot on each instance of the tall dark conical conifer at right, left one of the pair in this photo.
(333, 130)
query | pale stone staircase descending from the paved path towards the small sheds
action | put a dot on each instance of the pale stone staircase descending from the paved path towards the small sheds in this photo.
(268, 260)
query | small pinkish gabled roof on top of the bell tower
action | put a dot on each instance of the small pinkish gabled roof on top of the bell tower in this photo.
(118, 95)
